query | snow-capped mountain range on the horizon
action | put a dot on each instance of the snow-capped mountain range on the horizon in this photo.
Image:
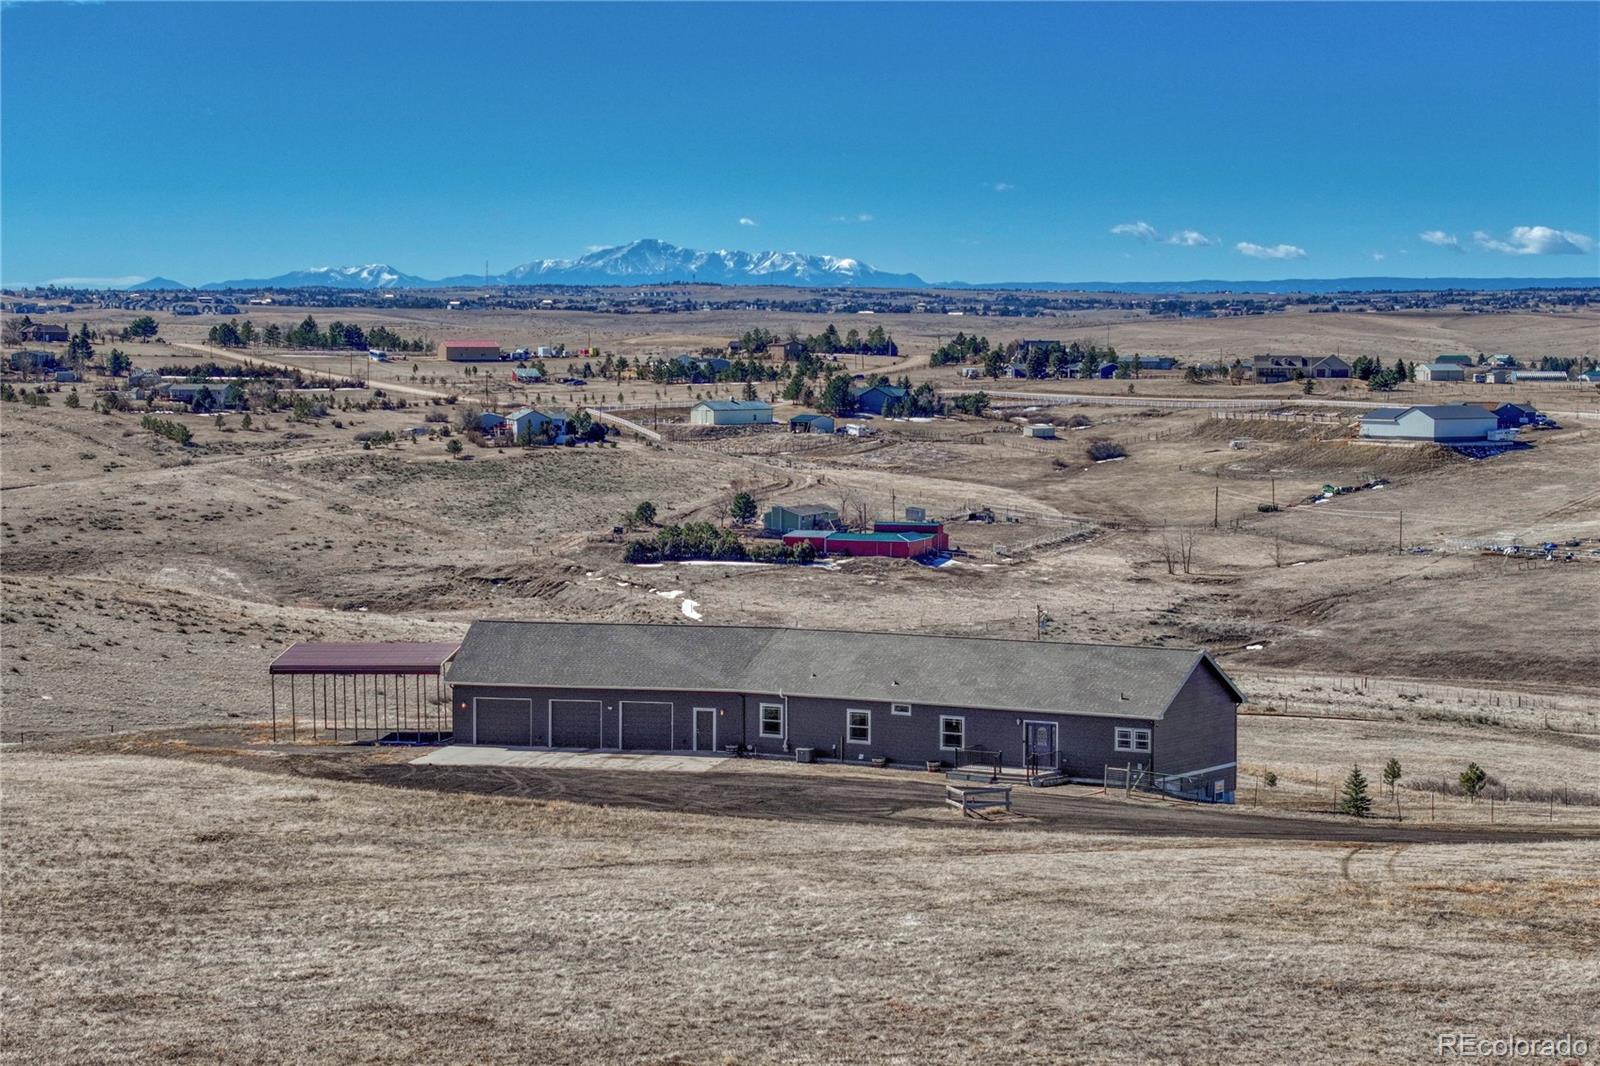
(636, 263)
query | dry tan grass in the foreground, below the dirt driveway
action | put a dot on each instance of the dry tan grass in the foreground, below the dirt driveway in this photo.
(167, 910)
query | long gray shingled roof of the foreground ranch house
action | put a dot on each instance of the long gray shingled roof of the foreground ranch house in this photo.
(890, 668)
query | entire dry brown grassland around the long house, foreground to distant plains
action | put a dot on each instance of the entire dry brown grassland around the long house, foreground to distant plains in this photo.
(191, 908)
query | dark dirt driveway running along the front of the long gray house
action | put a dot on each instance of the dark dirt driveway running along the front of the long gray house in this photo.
(852, 799)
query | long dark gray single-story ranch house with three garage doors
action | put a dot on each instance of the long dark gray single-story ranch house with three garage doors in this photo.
(908, 699)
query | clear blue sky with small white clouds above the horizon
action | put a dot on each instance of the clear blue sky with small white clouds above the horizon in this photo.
(974, 143)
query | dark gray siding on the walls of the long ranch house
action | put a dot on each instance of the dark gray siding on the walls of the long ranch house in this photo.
(1199, 731)
